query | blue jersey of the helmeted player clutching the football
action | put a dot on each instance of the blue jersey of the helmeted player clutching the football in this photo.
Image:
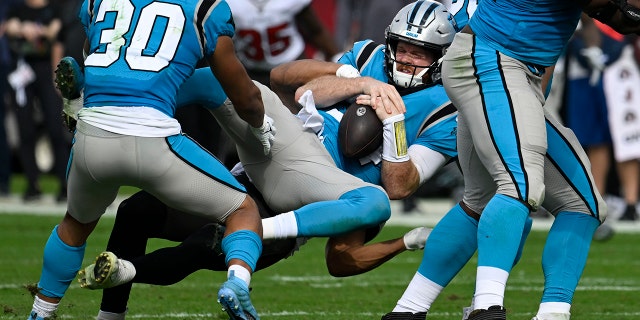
(430, 119)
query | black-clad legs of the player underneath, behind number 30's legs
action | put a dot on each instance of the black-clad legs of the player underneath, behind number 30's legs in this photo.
(143, 216)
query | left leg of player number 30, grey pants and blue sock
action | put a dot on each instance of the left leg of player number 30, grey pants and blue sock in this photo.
(64, 250)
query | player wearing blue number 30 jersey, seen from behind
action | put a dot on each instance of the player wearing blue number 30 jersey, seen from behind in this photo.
(138, 54)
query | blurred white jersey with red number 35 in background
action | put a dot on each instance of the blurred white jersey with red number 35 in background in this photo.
(266, 31)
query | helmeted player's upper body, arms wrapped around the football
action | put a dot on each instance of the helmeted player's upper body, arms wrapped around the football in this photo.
(373, 74)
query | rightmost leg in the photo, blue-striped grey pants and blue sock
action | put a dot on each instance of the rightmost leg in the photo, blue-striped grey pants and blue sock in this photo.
(573, 198)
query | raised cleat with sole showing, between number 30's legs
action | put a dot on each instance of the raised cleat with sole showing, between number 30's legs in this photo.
(108, 271)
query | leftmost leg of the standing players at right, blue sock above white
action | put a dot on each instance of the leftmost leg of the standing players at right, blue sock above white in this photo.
(453, 240)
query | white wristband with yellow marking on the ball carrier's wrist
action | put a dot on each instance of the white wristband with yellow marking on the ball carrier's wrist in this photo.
(394, 135)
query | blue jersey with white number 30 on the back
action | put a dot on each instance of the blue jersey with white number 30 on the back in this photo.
(141, 51)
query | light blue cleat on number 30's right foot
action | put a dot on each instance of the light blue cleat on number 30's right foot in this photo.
(235, 300)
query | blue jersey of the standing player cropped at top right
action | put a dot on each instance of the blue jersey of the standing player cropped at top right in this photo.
(532, 31)
